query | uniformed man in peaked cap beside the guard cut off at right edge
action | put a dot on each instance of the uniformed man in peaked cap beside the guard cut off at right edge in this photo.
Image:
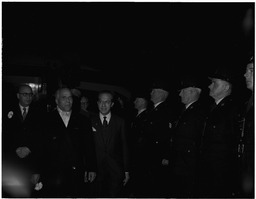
(220, 139)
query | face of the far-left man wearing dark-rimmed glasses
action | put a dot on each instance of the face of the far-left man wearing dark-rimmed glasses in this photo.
(25, 96)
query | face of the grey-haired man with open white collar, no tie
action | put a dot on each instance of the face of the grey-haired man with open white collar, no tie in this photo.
(64, 100)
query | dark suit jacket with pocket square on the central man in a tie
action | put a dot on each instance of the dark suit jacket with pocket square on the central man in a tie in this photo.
(111, 146)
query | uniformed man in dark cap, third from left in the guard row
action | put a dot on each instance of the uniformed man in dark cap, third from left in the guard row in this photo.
(187, 137)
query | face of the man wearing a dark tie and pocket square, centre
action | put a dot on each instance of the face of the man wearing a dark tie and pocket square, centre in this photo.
(105, 103)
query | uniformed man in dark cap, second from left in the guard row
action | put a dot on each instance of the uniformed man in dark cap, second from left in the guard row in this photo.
(158, 130)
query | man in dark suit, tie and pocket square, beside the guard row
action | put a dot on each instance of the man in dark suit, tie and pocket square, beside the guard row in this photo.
(111, 148)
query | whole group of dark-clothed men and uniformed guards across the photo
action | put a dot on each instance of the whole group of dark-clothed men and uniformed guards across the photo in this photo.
(206, 149)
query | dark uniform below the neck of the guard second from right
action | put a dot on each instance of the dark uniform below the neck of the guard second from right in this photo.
(219, 149)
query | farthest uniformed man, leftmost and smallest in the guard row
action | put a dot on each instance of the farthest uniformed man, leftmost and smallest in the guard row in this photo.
(140, 158)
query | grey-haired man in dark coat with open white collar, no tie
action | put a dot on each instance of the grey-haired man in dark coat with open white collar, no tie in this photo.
(70, 152)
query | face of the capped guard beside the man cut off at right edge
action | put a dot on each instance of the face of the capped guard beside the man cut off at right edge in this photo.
(217, 88)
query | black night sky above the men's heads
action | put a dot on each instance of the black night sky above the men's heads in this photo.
(128, 44)
